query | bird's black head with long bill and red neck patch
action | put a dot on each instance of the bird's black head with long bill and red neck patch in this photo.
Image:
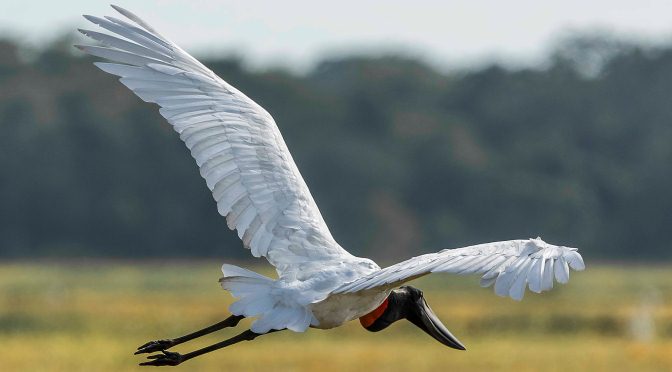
(409, 303)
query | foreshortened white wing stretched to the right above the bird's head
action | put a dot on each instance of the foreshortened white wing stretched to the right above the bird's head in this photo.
(509, 265)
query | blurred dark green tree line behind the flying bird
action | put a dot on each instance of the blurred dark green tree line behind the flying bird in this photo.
(401, 158)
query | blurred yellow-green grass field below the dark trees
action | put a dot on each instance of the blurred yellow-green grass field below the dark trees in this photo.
(91, 317)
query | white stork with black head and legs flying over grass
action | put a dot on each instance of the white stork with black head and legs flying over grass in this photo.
(258, 188)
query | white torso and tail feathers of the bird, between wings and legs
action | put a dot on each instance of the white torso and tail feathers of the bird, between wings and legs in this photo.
(303, 300)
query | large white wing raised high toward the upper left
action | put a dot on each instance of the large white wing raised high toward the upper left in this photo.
(236, 144)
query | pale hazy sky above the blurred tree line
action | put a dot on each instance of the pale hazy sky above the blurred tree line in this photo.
(297, 34)
